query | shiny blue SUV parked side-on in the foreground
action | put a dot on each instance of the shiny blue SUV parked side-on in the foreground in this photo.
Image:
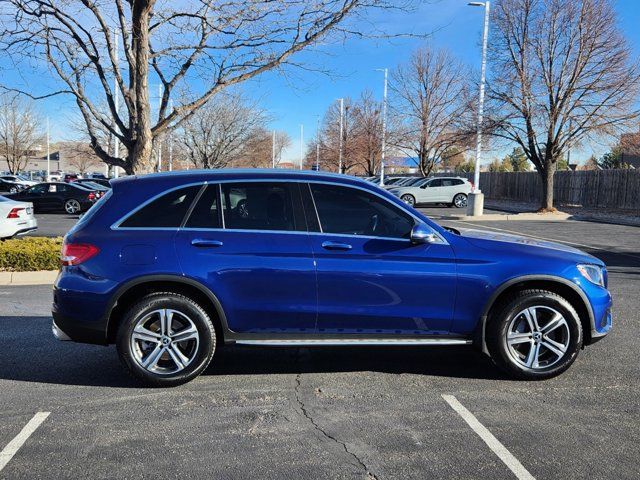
(169, 267)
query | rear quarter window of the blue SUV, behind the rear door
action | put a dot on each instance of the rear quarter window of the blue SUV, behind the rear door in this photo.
(166, 211)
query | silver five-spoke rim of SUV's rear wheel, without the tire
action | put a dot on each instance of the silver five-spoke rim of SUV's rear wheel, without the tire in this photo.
(164, 341)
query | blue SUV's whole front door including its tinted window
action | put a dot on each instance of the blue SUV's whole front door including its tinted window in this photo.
(371, 279)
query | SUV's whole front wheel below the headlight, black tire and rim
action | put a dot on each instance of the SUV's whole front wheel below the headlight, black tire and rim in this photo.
(506, 315)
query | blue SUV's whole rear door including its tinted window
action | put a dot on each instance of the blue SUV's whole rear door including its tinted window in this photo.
(248, 243)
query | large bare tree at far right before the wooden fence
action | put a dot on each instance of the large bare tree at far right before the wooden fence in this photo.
(561, 73)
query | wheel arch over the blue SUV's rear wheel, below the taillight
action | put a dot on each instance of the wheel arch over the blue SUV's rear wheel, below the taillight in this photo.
(134, 289)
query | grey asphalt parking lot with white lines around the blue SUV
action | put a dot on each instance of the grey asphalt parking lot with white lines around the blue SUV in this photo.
(330, 413)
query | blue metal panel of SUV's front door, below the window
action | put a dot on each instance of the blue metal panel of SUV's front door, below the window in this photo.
(382, 286)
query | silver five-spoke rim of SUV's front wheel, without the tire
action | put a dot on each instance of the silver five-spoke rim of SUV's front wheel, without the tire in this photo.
(538, 337)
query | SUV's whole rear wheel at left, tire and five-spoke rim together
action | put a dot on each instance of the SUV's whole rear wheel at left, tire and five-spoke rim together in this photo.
(165, 340)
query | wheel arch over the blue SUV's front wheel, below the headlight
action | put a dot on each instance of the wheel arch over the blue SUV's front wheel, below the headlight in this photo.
(559, 285)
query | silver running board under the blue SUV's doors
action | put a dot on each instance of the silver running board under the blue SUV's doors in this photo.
(334, 342)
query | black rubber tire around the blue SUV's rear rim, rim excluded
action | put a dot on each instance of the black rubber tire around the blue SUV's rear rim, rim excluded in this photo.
(202, 353)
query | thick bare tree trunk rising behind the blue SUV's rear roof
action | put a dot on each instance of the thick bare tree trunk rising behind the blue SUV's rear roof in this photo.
(143, 145)
